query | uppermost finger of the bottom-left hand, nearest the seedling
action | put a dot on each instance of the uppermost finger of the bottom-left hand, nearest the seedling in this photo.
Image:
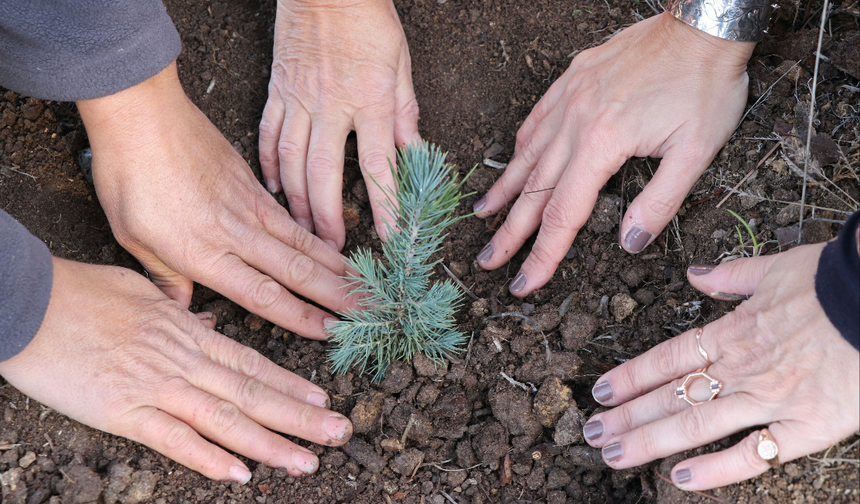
(252, 364)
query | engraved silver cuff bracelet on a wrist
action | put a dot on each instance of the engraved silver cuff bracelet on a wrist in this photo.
(738, 20)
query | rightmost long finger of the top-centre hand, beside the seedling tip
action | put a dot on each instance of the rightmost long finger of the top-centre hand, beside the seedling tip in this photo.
(376, 155)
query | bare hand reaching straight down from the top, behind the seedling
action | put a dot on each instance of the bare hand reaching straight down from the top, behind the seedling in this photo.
(338, 66)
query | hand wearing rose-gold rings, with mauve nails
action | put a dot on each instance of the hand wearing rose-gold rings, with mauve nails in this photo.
(782, 365)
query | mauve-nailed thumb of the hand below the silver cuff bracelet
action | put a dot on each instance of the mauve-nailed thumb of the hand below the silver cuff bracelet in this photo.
(661, 198)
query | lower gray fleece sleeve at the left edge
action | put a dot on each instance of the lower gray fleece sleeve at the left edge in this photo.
(26, 275)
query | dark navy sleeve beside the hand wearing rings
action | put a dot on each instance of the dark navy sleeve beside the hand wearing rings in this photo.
(837, 282)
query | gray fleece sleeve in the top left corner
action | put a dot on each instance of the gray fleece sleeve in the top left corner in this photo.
(69, 50)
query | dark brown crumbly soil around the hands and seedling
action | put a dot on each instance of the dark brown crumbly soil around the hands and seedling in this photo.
(475, 438)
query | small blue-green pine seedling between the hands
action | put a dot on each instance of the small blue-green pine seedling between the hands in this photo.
(401, 312)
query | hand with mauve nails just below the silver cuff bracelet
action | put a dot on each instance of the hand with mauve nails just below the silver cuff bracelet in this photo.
(659, 88)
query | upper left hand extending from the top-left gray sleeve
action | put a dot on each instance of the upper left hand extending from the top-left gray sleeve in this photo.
(185, 203)
